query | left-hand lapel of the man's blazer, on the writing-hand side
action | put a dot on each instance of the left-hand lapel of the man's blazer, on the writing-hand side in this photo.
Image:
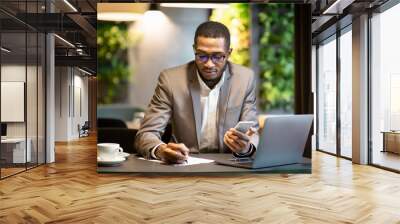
(194, 87)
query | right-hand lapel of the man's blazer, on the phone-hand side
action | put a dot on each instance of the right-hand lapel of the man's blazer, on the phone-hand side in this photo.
(223, 105)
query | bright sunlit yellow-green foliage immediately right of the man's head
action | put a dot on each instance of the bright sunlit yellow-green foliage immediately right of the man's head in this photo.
(237, 18)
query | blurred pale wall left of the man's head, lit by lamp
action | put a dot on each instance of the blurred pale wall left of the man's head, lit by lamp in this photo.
(166, 41)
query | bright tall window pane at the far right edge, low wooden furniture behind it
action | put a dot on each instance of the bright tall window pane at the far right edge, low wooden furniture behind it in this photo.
(385, 89)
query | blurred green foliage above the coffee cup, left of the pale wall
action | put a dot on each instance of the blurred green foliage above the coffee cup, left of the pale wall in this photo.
(114, 71)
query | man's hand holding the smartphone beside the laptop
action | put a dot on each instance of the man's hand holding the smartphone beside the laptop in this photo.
(238, 142)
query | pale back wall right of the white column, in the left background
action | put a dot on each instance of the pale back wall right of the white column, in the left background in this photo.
(70, 83)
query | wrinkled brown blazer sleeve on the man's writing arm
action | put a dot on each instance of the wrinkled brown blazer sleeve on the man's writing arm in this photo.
(156, 119)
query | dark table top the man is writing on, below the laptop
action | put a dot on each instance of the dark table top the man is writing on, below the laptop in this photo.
(134, 165)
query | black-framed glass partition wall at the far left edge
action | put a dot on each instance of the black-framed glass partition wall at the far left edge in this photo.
(22, 87)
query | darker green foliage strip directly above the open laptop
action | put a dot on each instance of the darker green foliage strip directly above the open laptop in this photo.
(276, 56)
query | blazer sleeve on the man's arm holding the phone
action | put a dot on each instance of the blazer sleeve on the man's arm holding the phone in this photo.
(249, 109)
